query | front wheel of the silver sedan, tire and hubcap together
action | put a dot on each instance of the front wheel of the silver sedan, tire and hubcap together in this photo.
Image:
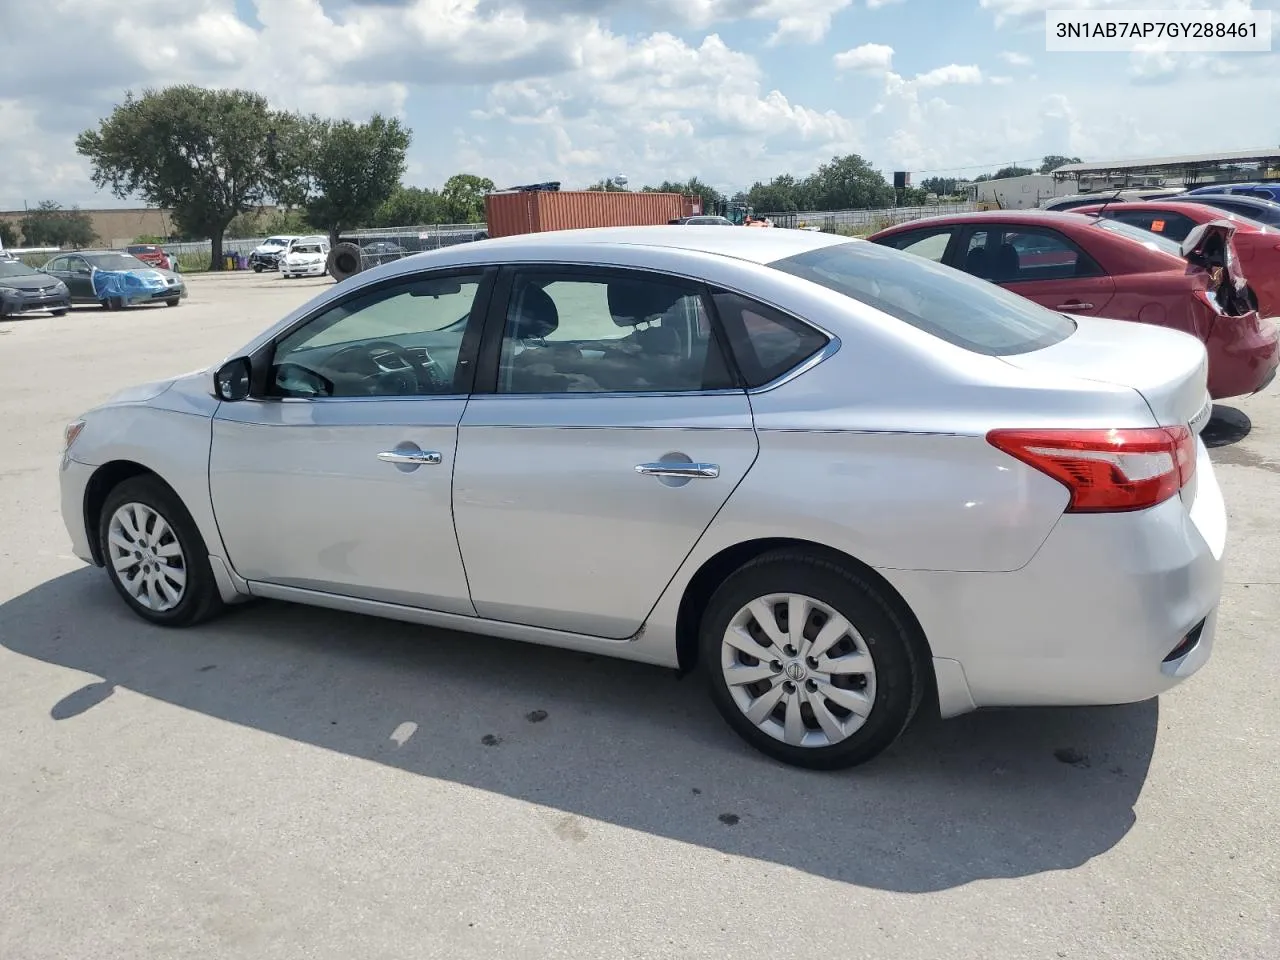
(156, 556)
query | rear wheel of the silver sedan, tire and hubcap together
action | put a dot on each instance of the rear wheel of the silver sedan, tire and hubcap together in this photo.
(808, 662)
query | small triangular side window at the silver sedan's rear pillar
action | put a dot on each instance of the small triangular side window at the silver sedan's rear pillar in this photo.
(766, 342)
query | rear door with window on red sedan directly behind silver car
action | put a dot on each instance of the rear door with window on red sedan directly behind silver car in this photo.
(1039, 263)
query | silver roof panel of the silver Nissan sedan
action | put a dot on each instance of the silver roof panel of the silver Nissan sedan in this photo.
(753, 246)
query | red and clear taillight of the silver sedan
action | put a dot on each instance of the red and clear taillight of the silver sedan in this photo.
(1108, 472)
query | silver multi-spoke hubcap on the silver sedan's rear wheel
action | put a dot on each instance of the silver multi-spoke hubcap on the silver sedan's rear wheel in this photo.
(798, 670)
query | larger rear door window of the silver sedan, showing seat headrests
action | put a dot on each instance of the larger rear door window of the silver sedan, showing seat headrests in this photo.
(609, 335)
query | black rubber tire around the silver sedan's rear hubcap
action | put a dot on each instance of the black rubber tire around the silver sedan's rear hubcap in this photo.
(898, 661)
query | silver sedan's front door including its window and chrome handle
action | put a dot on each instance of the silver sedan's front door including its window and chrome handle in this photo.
(339, 478)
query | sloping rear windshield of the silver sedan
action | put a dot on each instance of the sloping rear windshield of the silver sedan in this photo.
(948, 304)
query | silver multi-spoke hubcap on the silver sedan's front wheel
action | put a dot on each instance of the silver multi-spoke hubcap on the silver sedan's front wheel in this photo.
(148, 557)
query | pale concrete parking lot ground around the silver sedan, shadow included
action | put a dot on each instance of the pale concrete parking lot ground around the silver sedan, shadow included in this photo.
(292, 783)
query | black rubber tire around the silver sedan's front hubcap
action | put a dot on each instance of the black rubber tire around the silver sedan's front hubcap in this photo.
(200, 600)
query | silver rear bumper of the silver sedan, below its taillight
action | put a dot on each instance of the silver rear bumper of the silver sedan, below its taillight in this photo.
(1114, 609)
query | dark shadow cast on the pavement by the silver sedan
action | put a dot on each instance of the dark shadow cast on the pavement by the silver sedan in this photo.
(989, 796)
